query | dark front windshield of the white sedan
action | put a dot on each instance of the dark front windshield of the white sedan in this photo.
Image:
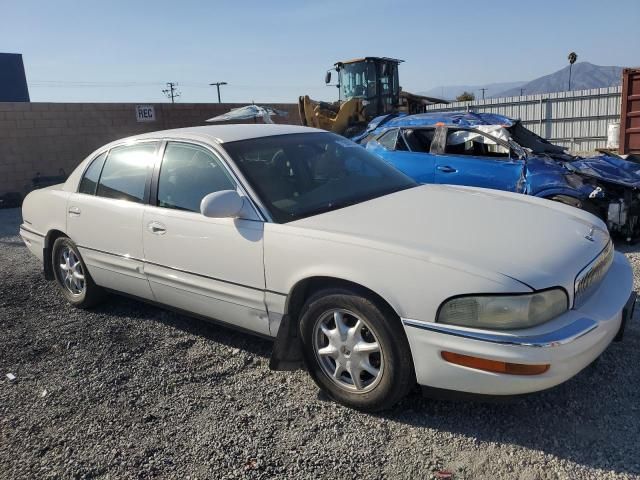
(305, 174)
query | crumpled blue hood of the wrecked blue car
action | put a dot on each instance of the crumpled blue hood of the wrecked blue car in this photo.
(608, 168)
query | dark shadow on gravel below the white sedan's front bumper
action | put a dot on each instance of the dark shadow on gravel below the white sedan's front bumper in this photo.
(592, 420)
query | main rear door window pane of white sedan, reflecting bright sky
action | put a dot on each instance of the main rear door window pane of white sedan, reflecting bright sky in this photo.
(126, 171)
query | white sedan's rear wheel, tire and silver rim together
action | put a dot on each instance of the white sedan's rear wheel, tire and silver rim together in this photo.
(72, 275)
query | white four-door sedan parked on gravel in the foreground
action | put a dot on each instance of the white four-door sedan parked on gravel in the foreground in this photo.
(375, 281)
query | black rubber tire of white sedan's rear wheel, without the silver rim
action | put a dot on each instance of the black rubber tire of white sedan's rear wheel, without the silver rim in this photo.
(90, 294)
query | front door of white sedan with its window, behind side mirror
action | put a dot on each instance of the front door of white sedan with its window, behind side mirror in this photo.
(209, 266)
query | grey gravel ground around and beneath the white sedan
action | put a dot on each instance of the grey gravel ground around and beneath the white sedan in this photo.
(129, 390)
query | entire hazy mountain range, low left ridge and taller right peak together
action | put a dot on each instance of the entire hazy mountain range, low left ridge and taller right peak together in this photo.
(584, 75)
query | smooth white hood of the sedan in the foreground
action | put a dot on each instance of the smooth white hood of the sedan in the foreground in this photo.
(537, 242)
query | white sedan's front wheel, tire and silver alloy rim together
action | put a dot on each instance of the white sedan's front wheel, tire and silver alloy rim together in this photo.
(356, 350)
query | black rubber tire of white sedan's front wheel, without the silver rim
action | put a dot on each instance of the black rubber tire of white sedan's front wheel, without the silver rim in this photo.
(396, 373)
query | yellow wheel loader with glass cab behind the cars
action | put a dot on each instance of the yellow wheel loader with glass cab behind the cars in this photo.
(368, 87)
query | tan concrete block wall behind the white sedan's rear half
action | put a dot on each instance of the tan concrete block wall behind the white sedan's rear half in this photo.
(47, 137)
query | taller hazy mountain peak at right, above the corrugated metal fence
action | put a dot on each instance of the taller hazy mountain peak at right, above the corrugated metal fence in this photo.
(584, 75)
